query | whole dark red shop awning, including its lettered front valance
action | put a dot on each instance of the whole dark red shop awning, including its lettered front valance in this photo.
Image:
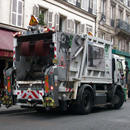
(6, 43)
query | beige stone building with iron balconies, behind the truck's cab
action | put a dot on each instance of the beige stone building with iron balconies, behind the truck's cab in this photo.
(113, 24)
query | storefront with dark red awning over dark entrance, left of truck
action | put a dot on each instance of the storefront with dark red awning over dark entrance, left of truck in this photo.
(6, 53)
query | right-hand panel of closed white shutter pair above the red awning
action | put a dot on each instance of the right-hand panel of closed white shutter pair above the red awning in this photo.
(20, 12)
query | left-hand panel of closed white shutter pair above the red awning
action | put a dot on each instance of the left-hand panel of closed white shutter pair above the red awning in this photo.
(14, 11)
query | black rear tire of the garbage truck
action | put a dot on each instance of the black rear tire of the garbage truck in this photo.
(85, 104)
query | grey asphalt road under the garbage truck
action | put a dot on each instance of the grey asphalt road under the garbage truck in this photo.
(16, 118)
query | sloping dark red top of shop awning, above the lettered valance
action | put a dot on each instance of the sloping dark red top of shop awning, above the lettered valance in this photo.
(6, 40)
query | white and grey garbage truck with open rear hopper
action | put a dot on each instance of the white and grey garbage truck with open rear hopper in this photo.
(59, 70)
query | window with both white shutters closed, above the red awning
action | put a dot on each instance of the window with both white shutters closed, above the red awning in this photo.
(17, 12)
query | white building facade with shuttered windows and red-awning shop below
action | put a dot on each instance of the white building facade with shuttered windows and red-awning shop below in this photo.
(73, 16)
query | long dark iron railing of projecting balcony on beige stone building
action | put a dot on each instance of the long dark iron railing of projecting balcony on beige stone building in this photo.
(123, 25)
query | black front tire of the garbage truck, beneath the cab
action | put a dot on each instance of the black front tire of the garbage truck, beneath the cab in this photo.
(118, 99)
